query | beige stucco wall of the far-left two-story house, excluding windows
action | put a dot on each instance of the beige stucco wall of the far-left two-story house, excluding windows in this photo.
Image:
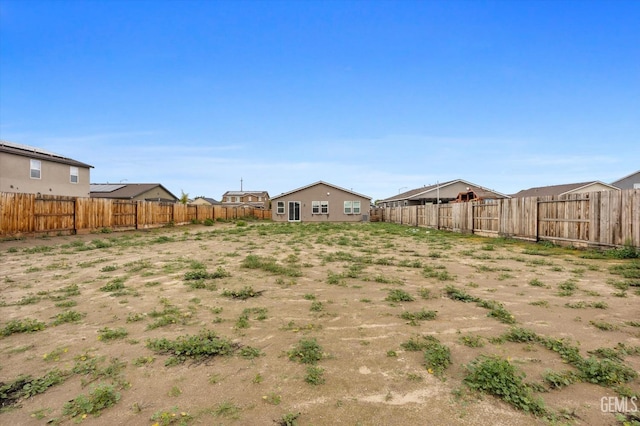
(55, 178)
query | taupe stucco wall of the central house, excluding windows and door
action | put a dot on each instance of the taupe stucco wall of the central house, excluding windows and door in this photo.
(321, 192)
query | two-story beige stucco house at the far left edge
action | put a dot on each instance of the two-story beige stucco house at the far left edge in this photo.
(31, 170)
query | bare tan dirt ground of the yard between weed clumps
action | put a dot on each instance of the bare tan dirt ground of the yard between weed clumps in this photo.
(369, 377)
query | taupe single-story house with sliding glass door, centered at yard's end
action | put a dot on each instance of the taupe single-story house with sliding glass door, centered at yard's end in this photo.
(320, 202)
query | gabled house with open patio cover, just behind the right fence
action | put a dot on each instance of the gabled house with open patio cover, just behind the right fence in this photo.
(445, 192)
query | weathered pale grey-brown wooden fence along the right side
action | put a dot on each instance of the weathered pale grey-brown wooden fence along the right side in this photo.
(607, 218)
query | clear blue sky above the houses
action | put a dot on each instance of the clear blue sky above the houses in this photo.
(374, 96)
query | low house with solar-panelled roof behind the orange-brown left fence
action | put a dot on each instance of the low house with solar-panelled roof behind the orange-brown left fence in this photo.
(133, 191)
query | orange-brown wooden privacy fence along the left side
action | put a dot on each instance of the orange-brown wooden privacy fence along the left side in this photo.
(24, 214)
